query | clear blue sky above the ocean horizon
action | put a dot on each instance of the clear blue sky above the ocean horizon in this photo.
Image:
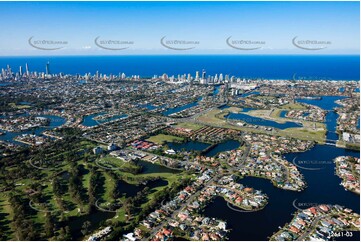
(205, 25)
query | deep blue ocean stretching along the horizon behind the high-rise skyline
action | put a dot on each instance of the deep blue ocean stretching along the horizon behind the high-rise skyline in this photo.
(247, 66)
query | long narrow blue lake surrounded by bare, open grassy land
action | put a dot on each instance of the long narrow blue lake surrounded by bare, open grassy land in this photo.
(262, 122)
